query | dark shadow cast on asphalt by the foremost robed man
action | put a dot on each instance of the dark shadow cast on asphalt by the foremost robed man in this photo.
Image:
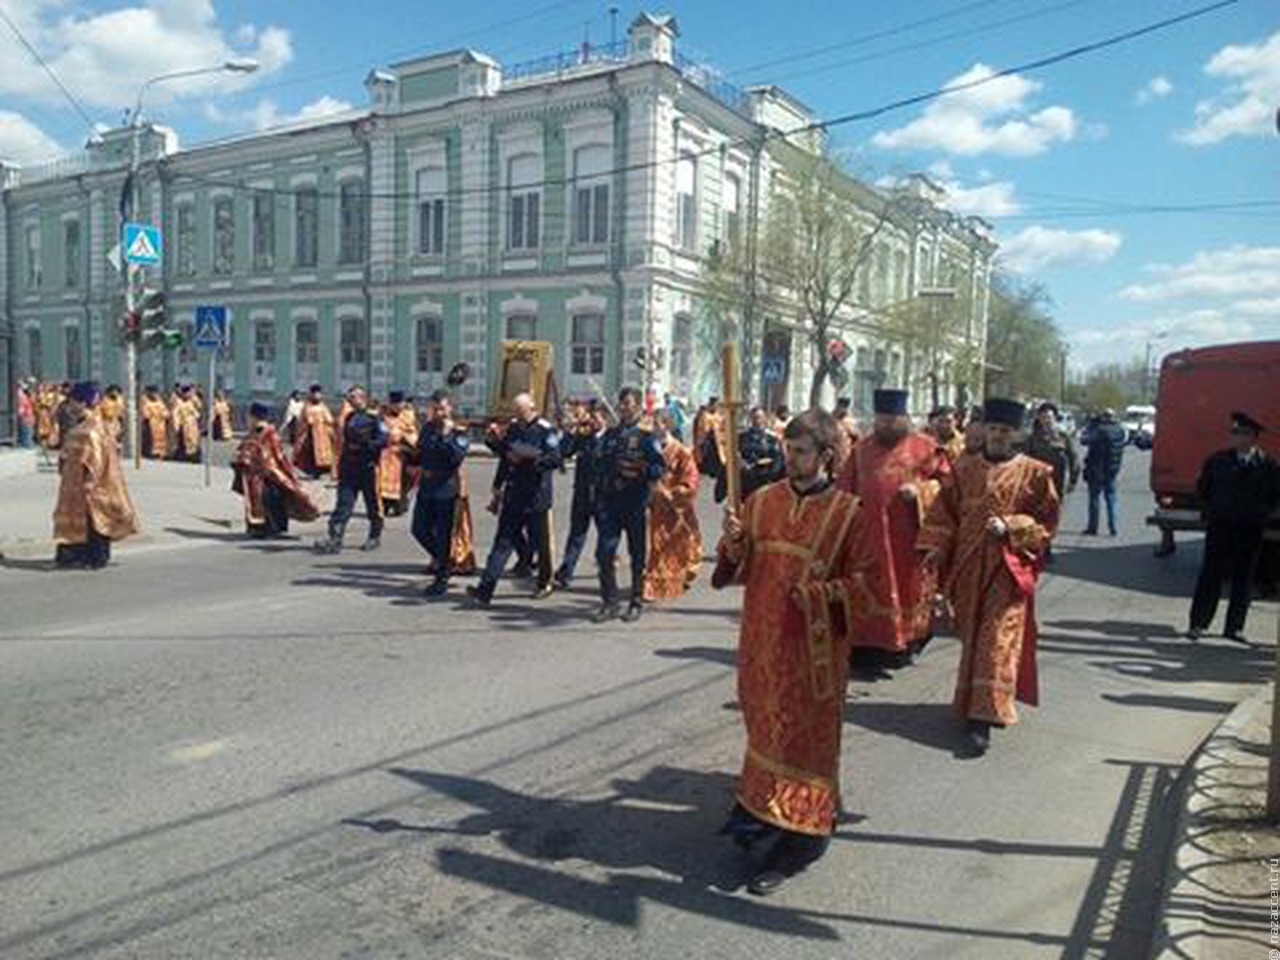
(665, 822)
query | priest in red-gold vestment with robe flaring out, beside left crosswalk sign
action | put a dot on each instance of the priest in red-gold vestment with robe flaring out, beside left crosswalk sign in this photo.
(266, 479)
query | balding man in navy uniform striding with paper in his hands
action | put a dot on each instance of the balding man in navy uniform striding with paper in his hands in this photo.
(529, 455)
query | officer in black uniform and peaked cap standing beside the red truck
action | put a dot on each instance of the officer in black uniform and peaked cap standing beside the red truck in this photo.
(1241, 491)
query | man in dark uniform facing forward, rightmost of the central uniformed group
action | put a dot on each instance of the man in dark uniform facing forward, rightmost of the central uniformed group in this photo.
(630, 463)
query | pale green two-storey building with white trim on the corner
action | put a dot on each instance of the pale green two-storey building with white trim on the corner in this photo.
(573, 200)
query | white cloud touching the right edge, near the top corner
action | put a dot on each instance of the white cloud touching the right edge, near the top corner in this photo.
(1247, 107)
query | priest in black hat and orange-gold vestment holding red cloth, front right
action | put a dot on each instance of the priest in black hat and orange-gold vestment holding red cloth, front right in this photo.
(988, 533)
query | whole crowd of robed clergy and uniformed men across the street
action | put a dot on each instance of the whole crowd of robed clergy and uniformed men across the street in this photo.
(852, 547)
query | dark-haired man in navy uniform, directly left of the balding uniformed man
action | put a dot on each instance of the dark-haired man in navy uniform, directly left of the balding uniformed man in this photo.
(442, 449)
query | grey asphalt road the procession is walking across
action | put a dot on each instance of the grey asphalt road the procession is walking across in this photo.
(226, 749)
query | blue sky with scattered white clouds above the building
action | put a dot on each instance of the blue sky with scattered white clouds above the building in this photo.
(1139, 185)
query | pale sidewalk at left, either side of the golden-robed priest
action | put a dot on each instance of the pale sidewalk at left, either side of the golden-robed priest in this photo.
(172, 502)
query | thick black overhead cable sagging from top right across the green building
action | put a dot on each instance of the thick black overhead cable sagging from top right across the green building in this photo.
(819, 126)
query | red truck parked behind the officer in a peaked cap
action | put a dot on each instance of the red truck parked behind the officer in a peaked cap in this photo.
(1199, 391)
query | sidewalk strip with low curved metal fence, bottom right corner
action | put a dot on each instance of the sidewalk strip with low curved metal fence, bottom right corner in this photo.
(1224, 868)
